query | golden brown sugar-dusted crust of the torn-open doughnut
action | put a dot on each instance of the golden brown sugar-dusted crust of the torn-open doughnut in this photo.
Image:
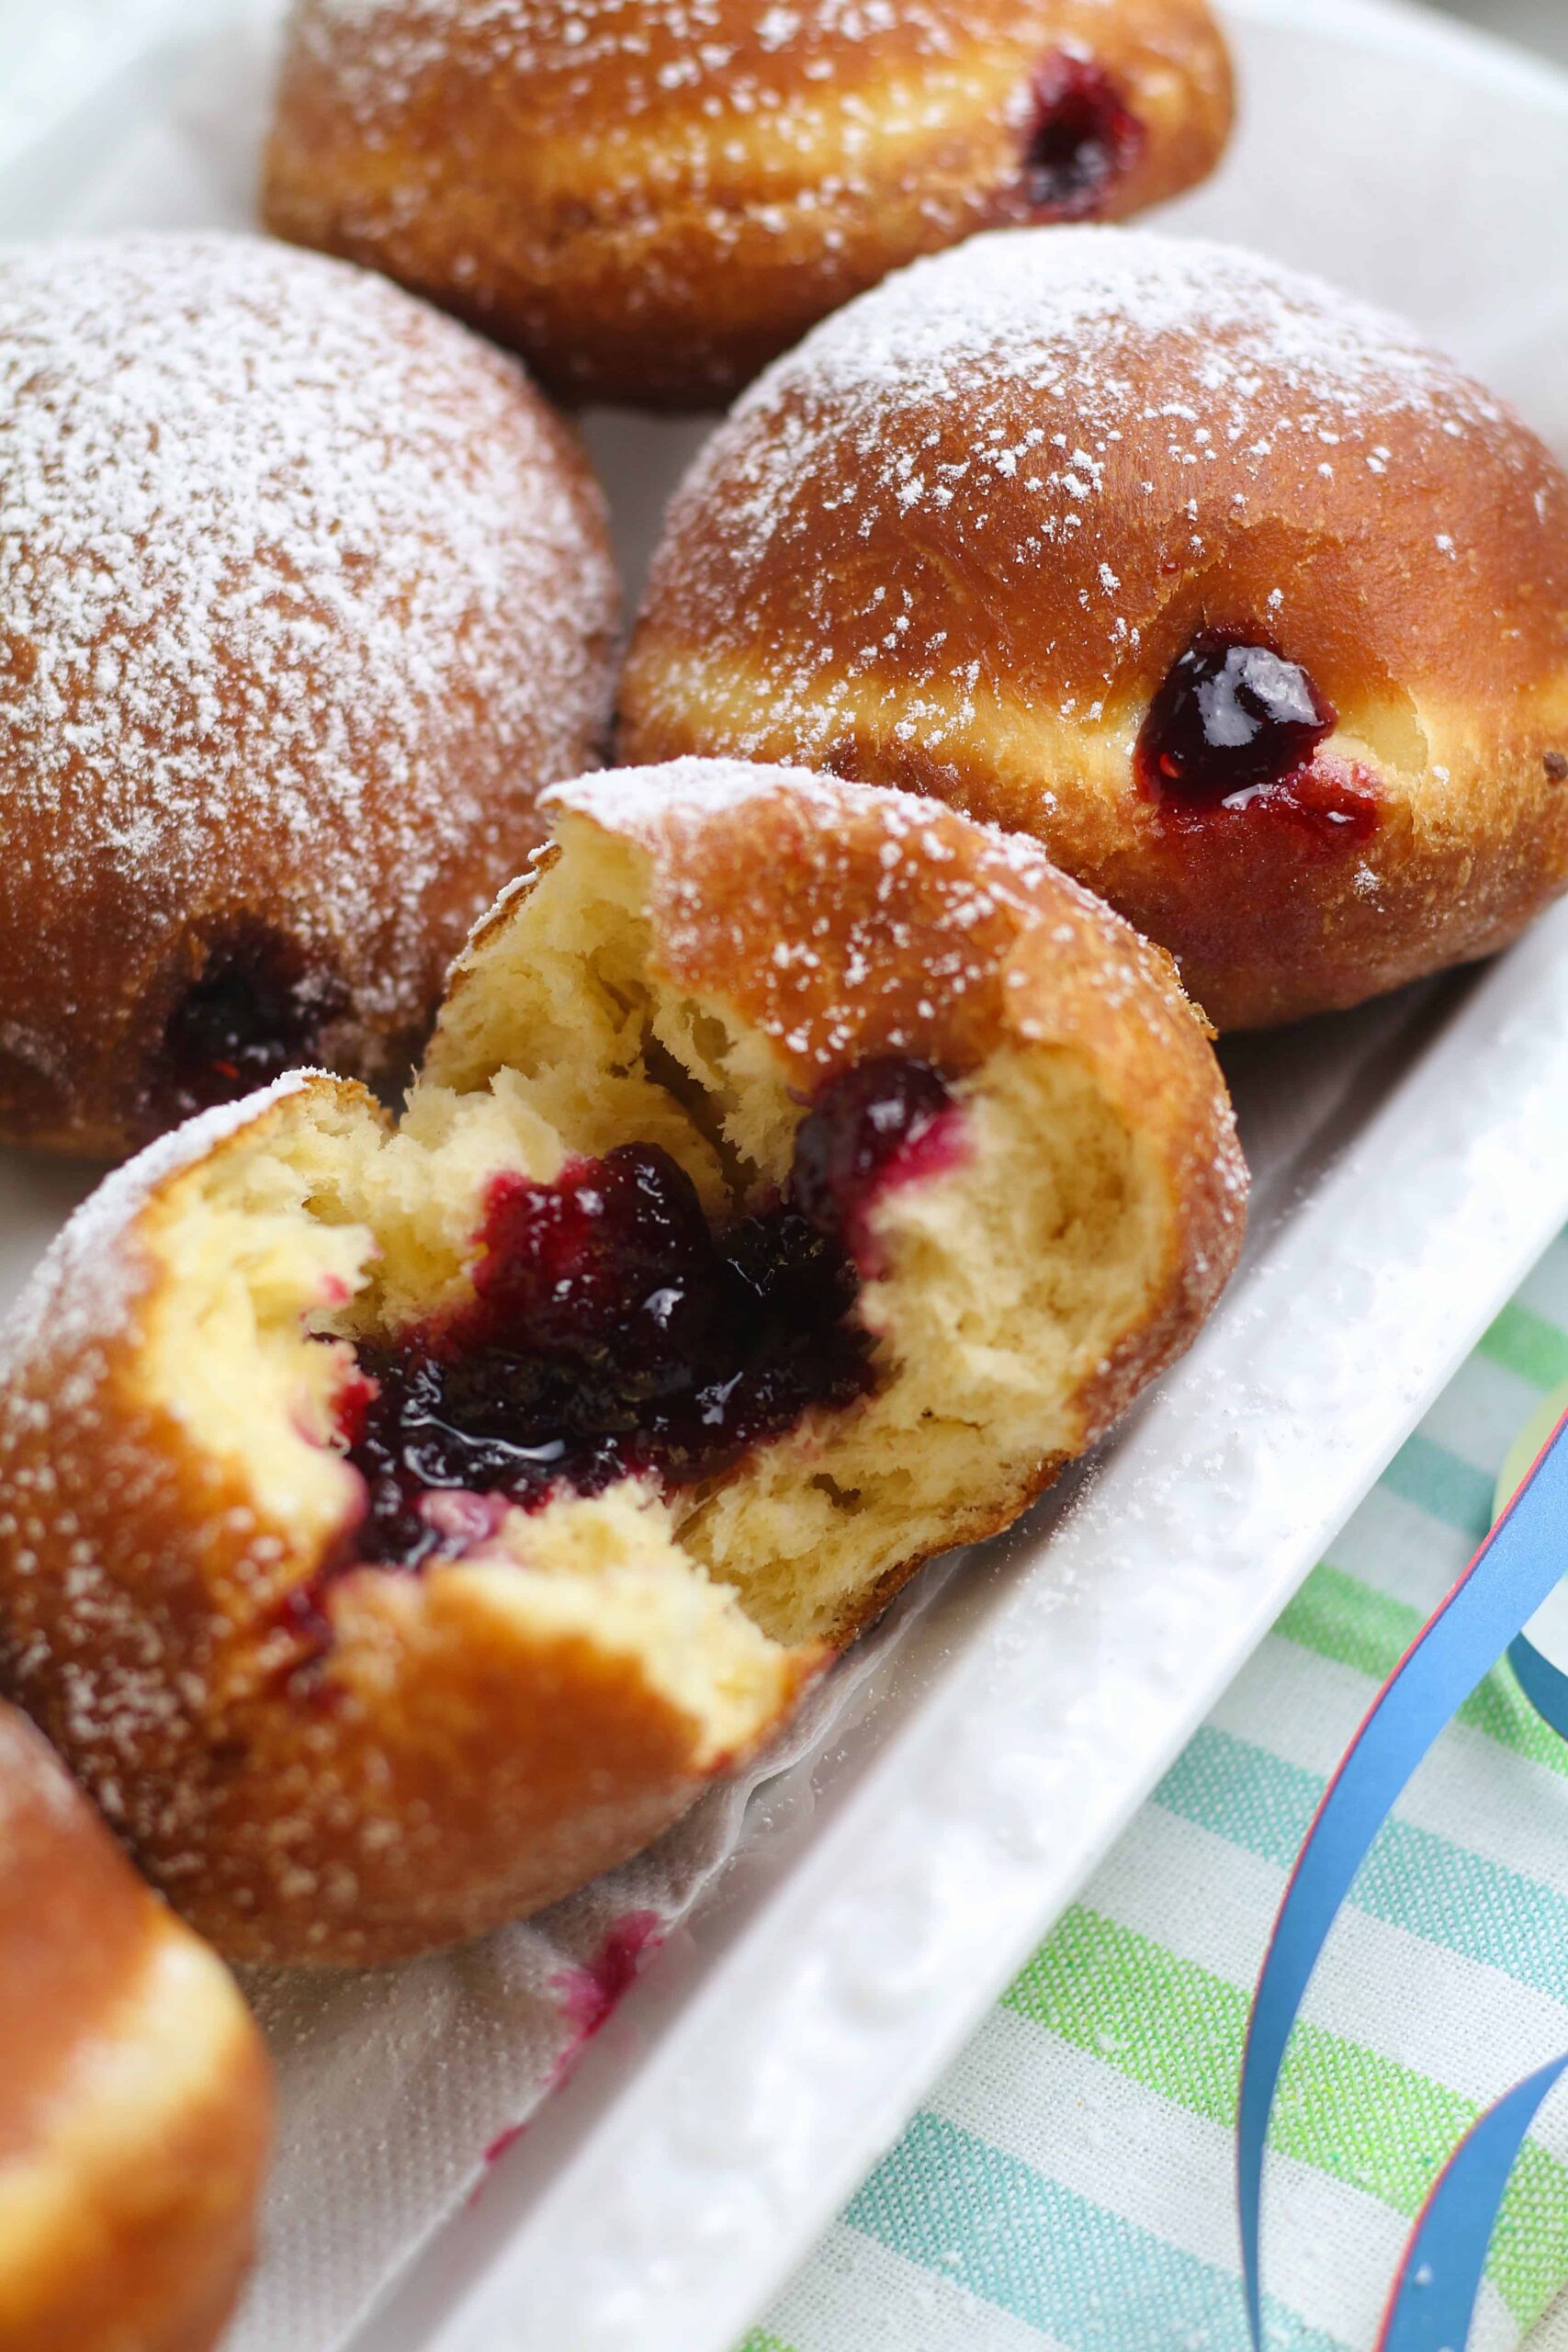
(396, 1763)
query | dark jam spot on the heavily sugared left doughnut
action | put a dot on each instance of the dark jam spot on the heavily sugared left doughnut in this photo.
(250, 1017)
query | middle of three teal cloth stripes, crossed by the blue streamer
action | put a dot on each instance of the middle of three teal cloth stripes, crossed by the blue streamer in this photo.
(1412, 1878)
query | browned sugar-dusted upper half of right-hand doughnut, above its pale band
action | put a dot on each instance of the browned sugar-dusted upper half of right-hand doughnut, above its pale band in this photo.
(1047, 455)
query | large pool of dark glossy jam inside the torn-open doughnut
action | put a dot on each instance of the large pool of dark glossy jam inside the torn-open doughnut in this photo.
(617, 1332)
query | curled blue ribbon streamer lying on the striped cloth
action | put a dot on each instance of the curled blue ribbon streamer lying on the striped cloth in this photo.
(1513, 1575)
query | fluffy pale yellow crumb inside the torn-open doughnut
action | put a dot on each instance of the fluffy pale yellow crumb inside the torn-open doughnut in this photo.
(989, 1281)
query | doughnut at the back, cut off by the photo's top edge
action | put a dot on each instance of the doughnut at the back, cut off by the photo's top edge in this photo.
(652, 199)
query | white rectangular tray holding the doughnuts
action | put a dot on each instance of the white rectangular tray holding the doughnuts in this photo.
(1409, 1163)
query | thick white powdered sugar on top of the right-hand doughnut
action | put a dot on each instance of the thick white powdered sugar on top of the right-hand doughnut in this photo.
(1257, 363)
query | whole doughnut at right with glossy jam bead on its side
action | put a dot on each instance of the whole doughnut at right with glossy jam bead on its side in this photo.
(1252, 608)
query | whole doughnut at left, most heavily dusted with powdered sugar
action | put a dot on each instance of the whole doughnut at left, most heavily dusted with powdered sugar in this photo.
(304, 594)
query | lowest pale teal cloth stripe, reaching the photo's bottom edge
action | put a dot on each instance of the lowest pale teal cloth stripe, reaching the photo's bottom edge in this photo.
(1050, 2257)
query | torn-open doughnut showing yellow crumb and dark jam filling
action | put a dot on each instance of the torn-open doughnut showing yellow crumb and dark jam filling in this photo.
(403, 1525)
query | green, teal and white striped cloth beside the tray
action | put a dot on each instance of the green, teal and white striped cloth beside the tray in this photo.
(1071, 2181)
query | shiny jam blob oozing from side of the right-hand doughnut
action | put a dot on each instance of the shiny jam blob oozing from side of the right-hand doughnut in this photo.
(1235, 728)
